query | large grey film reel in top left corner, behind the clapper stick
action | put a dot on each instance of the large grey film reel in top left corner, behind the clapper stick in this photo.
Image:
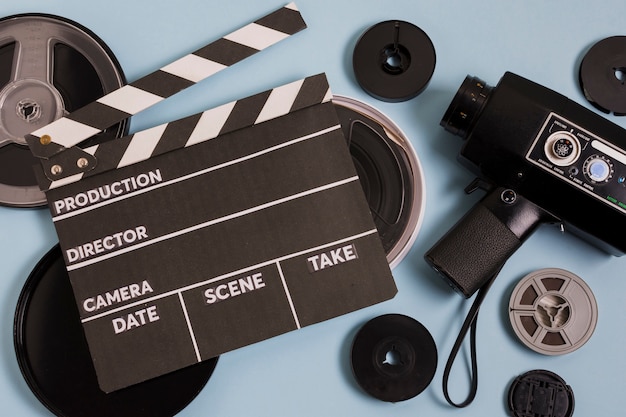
(49, 66)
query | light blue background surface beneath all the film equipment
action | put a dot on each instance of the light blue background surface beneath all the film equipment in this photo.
(307, 373)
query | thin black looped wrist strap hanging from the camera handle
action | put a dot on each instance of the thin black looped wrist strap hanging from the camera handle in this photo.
(468, 325)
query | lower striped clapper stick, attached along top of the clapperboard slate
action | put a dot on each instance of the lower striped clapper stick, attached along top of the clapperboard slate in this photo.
(194, 129)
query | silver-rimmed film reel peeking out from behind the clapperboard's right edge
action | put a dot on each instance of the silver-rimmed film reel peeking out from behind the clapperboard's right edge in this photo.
(390, 174)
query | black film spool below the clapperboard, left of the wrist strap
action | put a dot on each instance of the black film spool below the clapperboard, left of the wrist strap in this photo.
(394, 357)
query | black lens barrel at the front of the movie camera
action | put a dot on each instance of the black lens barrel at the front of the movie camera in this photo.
(466, 106)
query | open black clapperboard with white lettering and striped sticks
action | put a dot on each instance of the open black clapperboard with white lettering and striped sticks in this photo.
(212, 232)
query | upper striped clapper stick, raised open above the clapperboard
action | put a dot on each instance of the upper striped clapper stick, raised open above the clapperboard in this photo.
(165, 82)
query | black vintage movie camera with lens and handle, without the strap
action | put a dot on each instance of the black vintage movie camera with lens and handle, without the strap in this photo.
(543, 159)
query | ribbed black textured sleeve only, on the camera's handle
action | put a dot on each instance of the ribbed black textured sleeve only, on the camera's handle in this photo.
(473, 250)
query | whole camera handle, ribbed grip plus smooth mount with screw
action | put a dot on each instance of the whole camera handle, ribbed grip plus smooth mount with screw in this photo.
(472, 251)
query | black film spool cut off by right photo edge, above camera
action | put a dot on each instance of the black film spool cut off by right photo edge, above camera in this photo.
(602, 75)
